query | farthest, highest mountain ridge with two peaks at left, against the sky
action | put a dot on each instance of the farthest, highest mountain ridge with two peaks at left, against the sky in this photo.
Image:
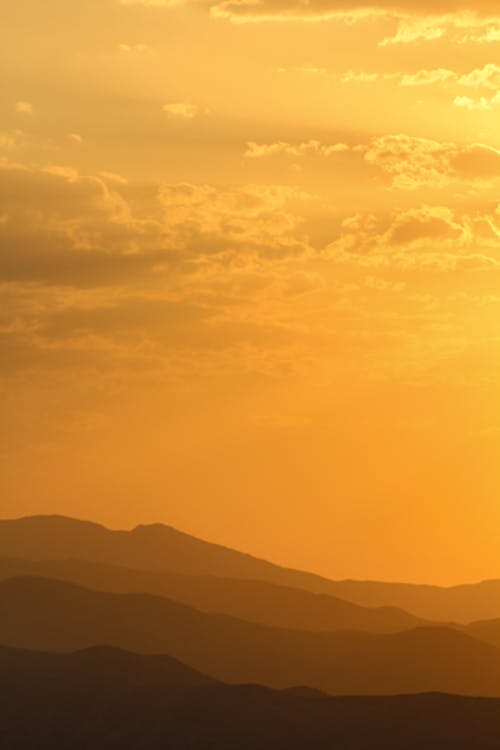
(159, 547)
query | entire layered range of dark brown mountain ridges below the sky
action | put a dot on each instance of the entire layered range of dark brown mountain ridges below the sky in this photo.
(152, 638)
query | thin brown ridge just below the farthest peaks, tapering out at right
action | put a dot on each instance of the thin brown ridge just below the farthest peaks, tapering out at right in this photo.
(256, 601)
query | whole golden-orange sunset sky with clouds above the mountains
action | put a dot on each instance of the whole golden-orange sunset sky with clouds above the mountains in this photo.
(250, 275)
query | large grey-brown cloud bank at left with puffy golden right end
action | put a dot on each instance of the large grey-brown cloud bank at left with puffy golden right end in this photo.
(60, 227)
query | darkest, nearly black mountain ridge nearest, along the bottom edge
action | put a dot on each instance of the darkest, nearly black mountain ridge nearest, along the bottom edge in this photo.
(108, 700)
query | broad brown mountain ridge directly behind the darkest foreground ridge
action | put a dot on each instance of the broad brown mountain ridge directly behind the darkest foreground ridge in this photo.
(51, 615)
